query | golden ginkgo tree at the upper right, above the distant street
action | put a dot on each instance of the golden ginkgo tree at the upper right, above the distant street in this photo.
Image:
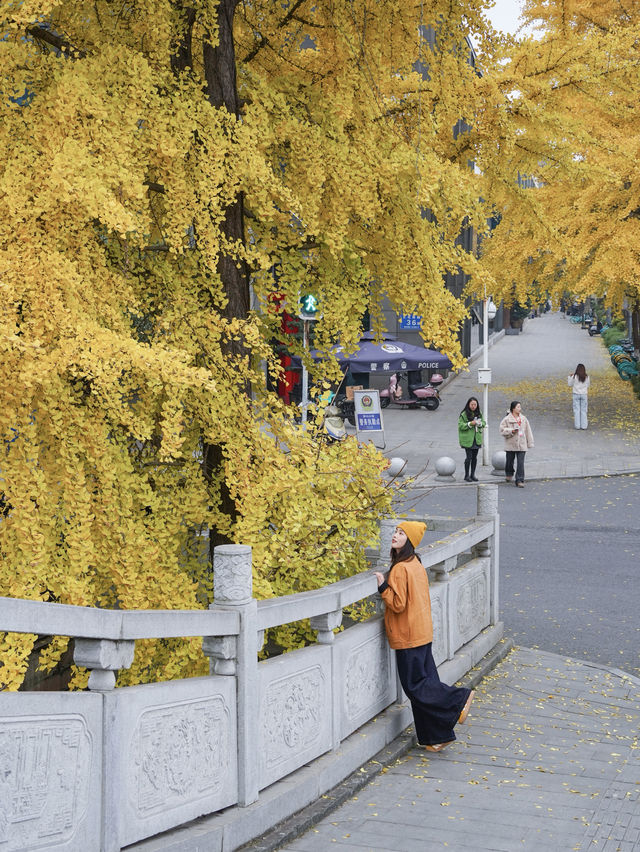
(571, 117)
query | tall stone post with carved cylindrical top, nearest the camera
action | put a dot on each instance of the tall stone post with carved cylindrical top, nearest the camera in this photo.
(233, 589)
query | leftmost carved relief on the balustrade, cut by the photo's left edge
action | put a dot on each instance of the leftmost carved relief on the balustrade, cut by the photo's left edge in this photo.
(45, 769)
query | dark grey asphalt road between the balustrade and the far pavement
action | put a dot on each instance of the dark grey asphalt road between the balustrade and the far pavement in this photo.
(569, 557)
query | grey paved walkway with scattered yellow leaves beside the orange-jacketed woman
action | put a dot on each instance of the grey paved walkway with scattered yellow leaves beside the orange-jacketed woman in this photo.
(548, 761)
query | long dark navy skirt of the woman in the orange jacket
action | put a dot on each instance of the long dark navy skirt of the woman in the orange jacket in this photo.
(436, 706)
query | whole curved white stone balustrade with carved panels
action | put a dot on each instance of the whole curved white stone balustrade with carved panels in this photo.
(241, 749)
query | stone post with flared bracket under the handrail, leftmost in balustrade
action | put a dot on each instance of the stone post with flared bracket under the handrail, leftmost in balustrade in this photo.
(104, 657)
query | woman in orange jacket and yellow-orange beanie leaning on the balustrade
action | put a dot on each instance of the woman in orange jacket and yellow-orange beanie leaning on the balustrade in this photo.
(436, 707)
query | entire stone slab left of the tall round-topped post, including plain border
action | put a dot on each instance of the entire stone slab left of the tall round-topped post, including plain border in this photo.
(176, 759)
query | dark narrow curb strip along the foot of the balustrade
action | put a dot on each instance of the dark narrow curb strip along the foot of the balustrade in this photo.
(306, 818)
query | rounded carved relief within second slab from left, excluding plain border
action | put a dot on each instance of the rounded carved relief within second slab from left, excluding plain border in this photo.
(180, 753)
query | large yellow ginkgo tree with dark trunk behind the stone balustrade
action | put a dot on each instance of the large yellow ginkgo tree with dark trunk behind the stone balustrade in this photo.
(160, 162)
